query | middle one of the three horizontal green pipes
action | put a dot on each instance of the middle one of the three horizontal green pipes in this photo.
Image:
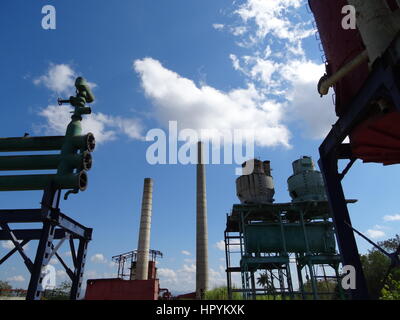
(80, 161)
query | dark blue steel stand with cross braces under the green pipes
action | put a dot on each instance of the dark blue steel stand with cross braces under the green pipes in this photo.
(55, 226)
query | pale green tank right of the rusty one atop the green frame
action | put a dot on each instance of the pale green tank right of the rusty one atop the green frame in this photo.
(306, 183)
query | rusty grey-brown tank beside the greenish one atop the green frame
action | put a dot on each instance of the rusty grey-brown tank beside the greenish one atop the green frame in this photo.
(256, 184)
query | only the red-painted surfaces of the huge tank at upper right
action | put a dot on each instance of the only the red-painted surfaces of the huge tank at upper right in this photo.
(378, 138)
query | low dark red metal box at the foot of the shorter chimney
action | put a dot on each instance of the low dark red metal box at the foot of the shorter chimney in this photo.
(118, 289)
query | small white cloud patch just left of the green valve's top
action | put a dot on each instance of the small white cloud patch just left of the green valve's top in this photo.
(59, 78)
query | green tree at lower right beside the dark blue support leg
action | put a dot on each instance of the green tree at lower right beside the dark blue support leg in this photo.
(376, 264)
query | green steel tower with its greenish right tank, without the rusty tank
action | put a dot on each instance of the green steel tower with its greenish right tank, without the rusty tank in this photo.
(274, 238)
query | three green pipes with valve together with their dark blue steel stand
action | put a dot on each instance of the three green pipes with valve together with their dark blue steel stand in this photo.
(71, 164)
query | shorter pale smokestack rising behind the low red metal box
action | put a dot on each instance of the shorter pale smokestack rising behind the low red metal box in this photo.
(142, 263)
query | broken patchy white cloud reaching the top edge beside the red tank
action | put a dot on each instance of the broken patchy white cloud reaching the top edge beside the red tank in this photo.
(285, 71)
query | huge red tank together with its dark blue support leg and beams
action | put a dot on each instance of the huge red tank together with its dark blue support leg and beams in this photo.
(367, 102)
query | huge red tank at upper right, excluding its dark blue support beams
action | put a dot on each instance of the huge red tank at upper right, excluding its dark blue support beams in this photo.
(378, 24)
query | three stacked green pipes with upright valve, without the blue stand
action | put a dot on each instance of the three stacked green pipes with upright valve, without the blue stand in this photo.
(72, 162)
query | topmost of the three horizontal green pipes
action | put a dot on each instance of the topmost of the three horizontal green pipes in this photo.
(85, 142)
